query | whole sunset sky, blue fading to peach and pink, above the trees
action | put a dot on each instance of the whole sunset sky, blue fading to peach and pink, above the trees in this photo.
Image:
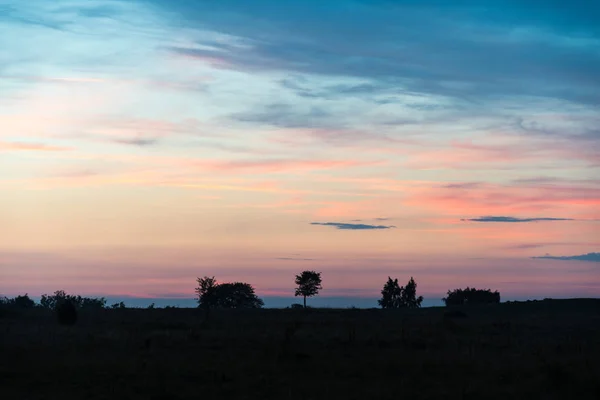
(145, 143)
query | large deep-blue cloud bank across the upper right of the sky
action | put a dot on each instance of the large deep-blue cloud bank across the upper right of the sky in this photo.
(497, 49)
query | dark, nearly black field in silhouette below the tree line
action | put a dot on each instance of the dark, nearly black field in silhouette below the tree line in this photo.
(533, 350)
